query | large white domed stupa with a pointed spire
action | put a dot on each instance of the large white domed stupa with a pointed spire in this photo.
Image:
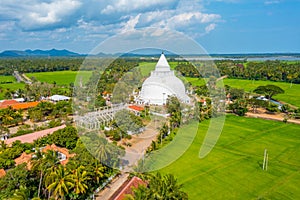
(161, 84)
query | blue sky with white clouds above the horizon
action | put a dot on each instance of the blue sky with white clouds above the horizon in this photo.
(220, 26)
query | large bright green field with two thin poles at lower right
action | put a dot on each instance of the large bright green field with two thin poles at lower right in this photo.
(233, 169)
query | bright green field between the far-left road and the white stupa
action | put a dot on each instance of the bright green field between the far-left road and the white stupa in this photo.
(61, 77)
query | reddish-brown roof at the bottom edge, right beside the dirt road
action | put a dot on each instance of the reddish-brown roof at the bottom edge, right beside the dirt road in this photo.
(126, 188)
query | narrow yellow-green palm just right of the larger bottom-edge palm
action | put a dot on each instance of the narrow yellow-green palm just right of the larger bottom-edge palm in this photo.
(80, 177)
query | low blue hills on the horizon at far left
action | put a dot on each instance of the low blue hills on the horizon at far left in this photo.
(39, 53)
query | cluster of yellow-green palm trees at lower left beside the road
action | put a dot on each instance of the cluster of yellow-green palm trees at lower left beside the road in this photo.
(63, 181)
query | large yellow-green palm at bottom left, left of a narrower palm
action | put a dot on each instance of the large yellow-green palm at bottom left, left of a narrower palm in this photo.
(60, 182)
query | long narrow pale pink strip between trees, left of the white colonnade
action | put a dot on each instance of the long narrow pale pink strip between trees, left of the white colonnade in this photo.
(33, 136)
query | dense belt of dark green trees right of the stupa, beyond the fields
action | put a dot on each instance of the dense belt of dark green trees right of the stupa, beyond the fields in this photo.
(264, 70)
